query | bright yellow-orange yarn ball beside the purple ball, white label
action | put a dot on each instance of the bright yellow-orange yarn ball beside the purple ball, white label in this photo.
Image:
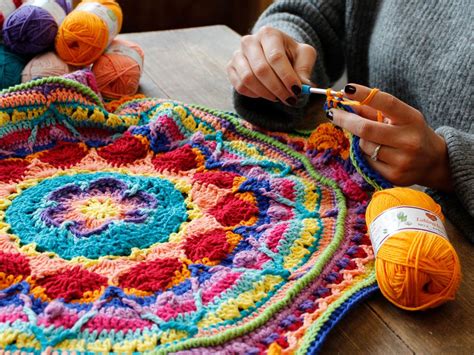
(88, 30)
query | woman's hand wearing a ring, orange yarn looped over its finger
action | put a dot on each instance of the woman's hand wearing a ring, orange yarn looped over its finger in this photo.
(410, 151)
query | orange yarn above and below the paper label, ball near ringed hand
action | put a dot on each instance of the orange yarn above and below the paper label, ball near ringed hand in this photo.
(415, 270)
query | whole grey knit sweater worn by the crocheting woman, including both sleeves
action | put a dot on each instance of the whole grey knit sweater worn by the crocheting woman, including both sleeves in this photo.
(419, 51)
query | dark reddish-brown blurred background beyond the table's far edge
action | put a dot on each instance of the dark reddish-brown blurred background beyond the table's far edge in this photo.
(154, 15)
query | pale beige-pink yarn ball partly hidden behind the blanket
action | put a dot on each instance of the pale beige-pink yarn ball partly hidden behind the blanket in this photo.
(43, 65)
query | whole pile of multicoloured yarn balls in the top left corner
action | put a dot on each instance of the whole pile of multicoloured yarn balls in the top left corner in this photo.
(84, 39)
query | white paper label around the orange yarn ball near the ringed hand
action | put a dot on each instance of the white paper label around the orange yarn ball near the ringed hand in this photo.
(404, 218)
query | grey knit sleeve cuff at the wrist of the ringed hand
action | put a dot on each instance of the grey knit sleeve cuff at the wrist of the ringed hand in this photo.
(459, 207)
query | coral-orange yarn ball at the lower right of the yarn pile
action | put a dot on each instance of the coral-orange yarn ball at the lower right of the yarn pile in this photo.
(119, 69)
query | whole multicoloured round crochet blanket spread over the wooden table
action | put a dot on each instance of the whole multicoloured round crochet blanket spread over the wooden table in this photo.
(164, 227)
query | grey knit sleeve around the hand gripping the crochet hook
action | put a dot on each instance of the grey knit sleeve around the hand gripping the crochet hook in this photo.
(319, 23)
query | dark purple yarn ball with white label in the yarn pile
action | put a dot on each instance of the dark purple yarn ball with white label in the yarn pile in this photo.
(32, 28)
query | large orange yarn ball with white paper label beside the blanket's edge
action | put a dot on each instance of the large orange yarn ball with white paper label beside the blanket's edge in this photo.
(415, 269)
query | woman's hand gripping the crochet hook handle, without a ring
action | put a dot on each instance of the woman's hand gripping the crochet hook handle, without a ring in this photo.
(271, 65)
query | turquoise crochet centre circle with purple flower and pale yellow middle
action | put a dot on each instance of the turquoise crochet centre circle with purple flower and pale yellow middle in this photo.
(99, 214)
